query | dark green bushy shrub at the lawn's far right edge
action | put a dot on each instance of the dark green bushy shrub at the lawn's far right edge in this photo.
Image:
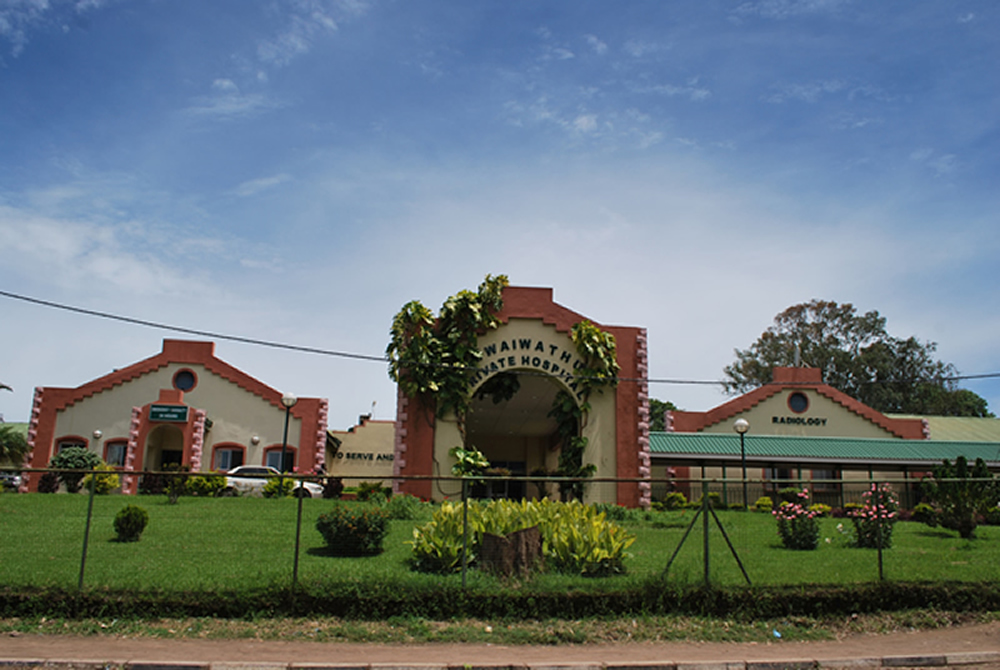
(961, 495)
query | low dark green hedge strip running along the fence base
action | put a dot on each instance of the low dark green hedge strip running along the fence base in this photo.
(445, 602)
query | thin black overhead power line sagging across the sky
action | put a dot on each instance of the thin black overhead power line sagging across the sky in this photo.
(369, 357)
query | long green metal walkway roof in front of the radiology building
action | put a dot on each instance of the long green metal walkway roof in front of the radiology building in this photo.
(721, 447)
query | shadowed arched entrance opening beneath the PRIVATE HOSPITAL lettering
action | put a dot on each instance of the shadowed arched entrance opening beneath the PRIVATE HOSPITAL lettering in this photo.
(517, 435)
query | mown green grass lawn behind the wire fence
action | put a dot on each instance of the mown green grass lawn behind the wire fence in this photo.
(220, 543)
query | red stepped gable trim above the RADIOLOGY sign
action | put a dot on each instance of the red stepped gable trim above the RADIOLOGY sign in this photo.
(794, 378)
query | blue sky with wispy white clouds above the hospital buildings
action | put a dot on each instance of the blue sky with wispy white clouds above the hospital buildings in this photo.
(296, 170)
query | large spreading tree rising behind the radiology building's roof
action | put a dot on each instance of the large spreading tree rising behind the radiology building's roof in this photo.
(857, 356)
